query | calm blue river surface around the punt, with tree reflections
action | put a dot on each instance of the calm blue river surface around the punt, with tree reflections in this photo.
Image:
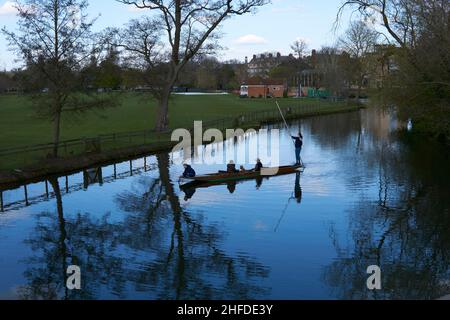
(367, 197)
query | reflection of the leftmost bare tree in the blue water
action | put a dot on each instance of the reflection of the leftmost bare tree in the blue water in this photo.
(58, 242)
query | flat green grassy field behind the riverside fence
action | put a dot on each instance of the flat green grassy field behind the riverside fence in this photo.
(20, 127)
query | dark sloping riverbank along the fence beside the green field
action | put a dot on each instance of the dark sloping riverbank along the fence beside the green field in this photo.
(41, 167)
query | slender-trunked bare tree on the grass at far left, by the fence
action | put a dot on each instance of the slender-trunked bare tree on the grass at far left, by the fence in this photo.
(53, 37)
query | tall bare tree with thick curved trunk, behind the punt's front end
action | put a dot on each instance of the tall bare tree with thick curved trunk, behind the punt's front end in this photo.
(189, 27)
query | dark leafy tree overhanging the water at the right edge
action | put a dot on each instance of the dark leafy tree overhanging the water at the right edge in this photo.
(420, 30)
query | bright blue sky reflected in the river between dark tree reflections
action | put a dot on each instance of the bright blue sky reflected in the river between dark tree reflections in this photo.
(268, 224)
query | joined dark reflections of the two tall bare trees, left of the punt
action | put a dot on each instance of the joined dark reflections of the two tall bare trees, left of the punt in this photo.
(158, 251)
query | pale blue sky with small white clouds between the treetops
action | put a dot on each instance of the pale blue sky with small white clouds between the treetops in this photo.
(273, 28)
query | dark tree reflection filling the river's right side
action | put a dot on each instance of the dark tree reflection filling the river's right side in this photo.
(406, 232)
